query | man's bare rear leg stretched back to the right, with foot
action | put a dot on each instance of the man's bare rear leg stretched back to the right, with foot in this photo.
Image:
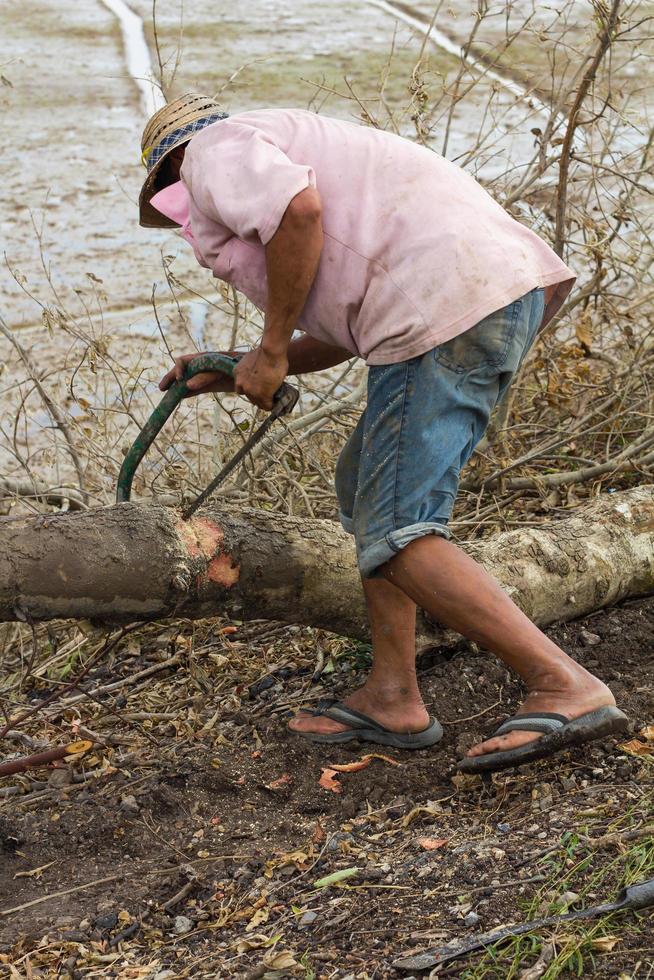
(457, 592)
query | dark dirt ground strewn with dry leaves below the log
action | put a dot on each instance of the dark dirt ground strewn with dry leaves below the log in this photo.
(208, 828)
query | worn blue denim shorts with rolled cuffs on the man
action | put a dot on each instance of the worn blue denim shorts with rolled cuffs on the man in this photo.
(398, 473)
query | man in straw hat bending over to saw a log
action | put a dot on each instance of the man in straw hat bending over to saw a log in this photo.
(375, 247)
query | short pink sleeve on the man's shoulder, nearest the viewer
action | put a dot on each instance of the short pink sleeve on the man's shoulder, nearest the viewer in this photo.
(237, 176)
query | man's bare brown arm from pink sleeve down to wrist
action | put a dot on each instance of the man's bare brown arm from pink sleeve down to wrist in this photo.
(292, 257)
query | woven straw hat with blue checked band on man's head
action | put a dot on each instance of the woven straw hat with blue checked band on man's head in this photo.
(171, 126)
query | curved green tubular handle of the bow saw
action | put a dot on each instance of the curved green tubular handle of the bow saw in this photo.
(168, 404)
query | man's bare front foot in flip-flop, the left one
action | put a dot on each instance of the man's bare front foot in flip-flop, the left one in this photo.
(395, 709)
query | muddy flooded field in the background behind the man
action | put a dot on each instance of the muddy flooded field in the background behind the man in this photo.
(79, 276)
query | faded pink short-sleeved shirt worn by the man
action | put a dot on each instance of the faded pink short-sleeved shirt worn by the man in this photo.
(415, 250)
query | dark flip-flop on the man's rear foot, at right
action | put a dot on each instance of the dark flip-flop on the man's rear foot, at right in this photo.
(558, 733)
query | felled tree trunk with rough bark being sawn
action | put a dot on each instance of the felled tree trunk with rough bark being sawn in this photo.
(134, 561)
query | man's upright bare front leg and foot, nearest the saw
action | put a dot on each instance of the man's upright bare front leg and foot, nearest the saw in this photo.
(390, 694)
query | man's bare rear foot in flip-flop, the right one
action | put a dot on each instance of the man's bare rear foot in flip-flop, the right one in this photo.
(571, 695)
